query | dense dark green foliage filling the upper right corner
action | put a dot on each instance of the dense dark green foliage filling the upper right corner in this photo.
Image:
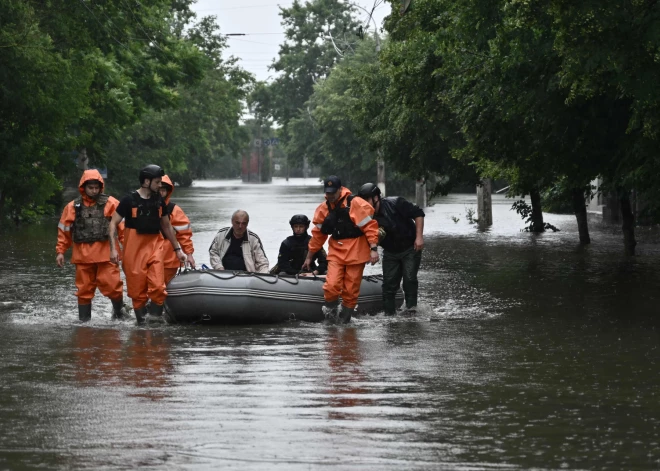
(534, 92)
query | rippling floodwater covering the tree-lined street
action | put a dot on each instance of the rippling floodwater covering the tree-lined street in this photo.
(529, 352)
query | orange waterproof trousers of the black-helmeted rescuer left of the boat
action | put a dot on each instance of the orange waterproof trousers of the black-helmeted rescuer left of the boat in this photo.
(143, 267)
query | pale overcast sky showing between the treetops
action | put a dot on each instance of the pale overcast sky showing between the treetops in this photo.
(261, 21)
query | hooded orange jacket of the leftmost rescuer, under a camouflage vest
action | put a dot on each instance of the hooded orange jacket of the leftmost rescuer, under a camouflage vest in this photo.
(95, 252)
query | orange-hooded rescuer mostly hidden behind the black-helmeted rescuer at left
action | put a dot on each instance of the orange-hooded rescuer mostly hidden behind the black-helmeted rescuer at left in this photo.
(181, 225)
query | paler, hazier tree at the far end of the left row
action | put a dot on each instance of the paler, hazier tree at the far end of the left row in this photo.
(201, 131)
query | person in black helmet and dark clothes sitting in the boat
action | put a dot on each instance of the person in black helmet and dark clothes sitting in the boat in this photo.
(293, 250)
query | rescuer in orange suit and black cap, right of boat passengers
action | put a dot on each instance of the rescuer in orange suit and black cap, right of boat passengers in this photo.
(353, 243)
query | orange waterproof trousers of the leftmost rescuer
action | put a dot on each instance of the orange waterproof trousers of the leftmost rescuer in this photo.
(102, 275)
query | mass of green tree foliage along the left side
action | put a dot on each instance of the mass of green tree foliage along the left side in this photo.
(77, 75)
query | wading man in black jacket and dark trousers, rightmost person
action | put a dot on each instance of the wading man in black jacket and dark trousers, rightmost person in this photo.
(403, 225)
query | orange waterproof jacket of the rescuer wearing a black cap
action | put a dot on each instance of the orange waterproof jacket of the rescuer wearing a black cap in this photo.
(347, 251)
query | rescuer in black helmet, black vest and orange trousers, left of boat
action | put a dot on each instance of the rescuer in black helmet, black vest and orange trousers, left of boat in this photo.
(145, 215)
